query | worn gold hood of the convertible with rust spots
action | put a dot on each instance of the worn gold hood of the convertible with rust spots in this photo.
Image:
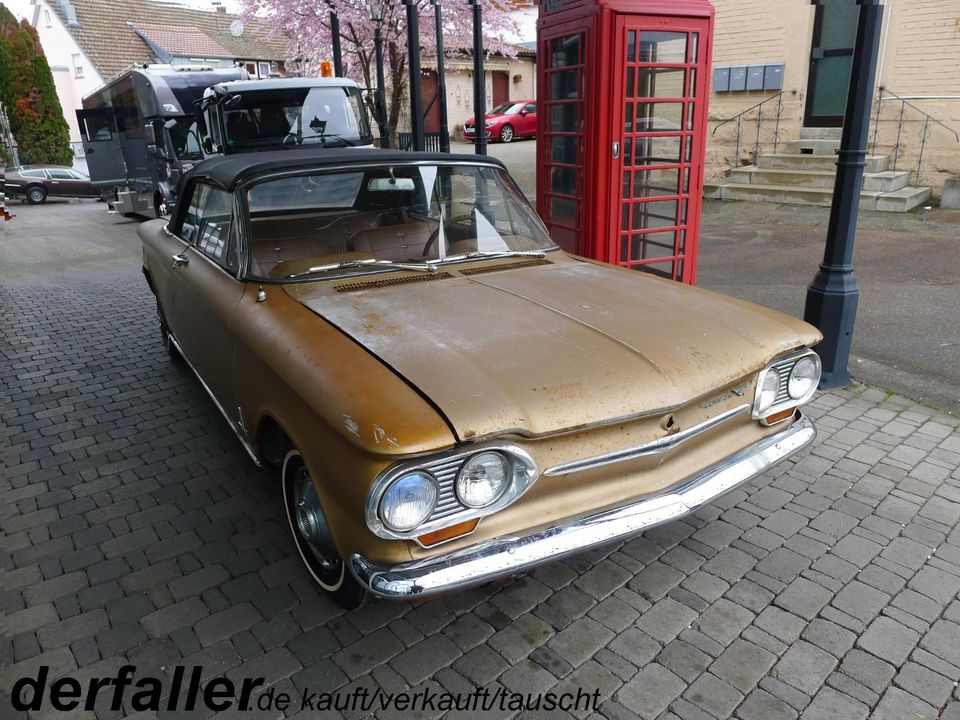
(557, 346)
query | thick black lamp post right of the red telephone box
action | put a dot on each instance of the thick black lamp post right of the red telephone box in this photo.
(833, 295)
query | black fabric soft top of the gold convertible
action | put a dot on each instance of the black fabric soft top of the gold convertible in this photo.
(231, 170)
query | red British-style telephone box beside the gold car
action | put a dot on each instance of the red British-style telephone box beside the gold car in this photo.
(622, 126)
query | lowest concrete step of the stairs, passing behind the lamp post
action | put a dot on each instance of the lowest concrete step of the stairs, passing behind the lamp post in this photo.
(901, 200)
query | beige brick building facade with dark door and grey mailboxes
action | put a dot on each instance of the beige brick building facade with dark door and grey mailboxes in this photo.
(796, 54)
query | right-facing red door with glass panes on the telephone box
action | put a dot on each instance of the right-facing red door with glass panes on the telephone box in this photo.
(657, 137)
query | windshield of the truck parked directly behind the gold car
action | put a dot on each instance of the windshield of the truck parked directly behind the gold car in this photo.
(296, 116)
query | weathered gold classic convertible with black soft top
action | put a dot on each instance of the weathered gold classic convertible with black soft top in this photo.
(448, 396)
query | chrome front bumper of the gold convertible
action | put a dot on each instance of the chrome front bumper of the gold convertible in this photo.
(506, 556)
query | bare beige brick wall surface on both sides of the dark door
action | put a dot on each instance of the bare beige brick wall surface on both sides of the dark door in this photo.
(920, 56)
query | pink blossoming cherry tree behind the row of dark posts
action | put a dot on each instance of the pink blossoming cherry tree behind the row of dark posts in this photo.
(306, 24)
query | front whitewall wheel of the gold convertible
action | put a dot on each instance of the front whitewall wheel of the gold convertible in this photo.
(312, 536)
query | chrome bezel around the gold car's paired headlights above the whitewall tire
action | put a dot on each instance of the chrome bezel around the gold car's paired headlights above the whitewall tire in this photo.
(445, 469)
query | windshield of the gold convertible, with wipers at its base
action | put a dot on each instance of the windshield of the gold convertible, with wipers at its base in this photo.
(421, 216)
